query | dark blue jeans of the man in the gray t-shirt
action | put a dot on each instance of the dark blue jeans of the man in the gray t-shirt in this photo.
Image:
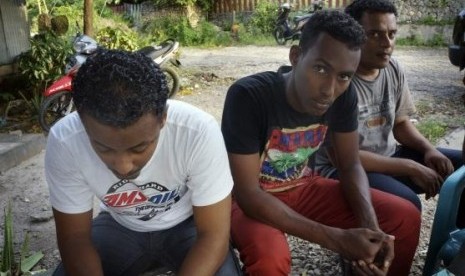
(403, 186)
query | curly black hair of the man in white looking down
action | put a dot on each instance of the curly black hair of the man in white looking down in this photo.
(117, 87)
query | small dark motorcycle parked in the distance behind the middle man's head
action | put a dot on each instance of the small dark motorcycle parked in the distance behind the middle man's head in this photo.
(286, 29)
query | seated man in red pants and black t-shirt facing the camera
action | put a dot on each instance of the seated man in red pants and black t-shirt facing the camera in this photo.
(273, 123)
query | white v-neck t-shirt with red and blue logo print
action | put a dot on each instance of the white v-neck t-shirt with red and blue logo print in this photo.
(188, 168)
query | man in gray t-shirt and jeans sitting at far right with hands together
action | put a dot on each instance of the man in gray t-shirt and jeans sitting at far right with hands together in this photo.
(396, 157)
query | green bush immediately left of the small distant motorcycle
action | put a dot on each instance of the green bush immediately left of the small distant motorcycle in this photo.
(263, 18)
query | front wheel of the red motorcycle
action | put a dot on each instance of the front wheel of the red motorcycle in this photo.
(54, 108)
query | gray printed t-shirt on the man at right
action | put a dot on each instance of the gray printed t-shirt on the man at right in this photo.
(380, 102)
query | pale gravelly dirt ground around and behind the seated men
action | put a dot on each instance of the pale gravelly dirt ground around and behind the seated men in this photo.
(205, 76)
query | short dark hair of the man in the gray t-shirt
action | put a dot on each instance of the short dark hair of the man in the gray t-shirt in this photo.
(358, 7)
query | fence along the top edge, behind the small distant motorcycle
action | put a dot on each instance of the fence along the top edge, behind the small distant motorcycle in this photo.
(228, 6)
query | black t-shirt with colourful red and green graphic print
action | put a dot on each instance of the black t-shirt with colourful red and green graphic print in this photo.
(258, 119)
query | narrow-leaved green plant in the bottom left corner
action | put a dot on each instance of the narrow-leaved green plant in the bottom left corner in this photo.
(8, 265)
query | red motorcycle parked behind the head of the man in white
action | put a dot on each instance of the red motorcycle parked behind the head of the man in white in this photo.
(58, 101)
